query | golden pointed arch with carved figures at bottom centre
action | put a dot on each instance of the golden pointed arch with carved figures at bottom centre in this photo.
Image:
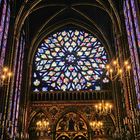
(71, 125)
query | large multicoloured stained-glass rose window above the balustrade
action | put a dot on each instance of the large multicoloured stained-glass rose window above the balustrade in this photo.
(69, 60)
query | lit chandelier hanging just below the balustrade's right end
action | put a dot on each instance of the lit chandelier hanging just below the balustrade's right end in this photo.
(103, 108)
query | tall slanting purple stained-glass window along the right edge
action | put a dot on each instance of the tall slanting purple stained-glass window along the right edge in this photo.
(133, 41)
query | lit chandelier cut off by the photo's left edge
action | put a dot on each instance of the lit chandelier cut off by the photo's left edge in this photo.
(5, 76)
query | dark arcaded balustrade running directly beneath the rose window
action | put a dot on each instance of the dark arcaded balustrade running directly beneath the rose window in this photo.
(71, 95)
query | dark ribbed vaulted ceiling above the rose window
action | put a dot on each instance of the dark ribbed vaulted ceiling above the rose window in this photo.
(96, 16)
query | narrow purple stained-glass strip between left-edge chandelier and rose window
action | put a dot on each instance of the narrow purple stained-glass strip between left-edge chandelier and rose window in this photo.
(18, 69)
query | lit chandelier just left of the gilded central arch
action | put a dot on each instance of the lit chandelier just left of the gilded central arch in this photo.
(42, 125)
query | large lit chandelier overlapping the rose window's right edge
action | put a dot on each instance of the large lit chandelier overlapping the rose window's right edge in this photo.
(115, 70)
